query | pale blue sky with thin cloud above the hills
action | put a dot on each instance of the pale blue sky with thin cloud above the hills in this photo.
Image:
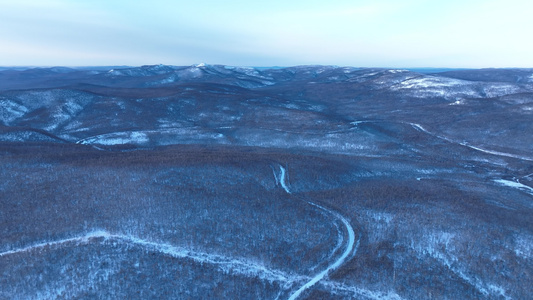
(359, 33)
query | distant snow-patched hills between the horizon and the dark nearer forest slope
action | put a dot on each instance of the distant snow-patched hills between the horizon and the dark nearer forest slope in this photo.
(231, 105)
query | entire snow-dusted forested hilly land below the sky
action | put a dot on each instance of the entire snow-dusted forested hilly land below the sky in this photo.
(308, 182)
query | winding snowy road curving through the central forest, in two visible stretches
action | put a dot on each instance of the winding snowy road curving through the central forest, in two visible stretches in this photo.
(350, 247)
